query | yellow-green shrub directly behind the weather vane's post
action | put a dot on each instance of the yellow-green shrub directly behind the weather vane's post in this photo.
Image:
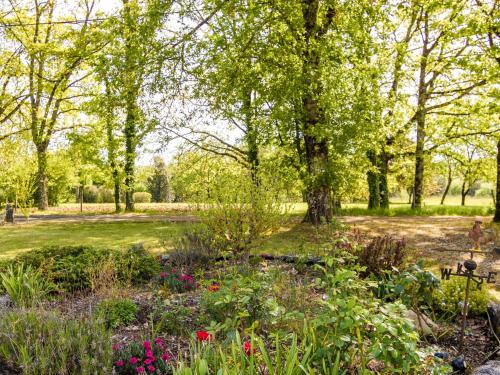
(449, 298)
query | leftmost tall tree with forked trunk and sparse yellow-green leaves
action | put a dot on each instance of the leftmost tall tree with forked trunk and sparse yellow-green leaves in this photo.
(53, 50)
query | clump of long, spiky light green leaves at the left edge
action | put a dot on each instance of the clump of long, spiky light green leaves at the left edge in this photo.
(25, 286)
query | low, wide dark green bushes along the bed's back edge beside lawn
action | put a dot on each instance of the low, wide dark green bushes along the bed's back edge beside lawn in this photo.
(71, 268)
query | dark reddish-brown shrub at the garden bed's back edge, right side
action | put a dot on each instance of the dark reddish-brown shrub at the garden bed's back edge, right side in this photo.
(382, 254)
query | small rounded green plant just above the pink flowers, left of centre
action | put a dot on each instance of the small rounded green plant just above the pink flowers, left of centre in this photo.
(117, 312)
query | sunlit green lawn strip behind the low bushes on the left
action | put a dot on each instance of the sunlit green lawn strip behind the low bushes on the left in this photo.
(17, 239)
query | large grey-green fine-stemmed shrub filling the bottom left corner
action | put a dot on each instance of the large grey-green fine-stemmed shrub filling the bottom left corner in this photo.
(39, 342)
